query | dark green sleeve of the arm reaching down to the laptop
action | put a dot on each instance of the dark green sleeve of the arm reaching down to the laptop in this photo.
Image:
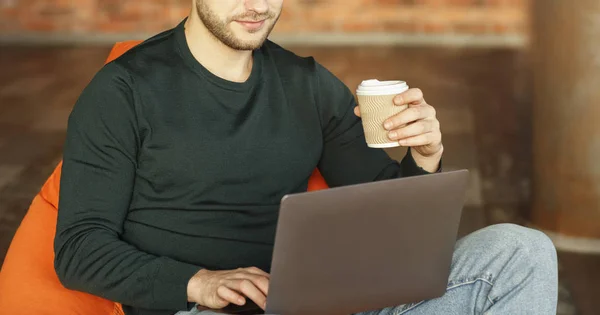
(97, 182)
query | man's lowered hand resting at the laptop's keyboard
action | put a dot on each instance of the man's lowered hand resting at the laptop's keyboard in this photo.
(217, 289)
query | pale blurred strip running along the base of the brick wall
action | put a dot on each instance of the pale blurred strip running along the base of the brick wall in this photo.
(318, 39)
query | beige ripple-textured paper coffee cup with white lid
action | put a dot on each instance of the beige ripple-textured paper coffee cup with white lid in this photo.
(376, 103)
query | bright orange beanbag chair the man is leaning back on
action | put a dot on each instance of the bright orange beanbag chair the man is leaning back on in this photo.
(28, 282)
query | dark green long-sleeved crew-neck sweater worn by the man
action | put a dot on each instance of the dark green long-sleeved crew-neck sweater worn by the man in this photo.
(169, 169)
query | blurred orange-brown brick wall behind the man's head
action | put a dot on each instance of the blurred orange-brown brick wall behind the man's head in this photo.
(463, 17)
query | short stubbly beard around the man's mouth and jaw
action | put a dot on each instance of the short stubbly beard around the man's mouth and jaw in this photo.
(220, 29)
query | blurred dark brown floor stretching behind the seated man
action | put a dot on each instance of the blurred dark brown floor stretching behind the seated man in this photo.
(482, 97)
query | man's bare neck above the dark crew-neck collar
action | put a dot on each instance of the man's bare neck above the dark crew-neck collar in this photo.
(221, 60)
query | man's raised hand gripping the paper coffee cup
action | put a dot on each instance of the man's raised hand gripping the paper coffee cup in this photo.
(416, 127)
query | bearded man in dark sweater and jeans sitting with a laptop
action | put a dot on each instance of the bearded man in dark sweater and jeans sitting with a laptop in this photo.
(178, 153)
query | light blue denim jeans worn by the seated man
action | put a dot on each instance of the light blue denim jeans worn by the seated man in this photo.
(501, 269)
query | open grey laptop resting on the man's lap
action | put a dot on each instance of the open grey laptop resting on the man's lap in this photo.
(364, 247)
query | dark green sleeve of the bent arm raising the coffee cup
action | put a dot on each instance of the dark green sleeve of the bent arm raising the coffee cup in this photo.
(346, 159)
